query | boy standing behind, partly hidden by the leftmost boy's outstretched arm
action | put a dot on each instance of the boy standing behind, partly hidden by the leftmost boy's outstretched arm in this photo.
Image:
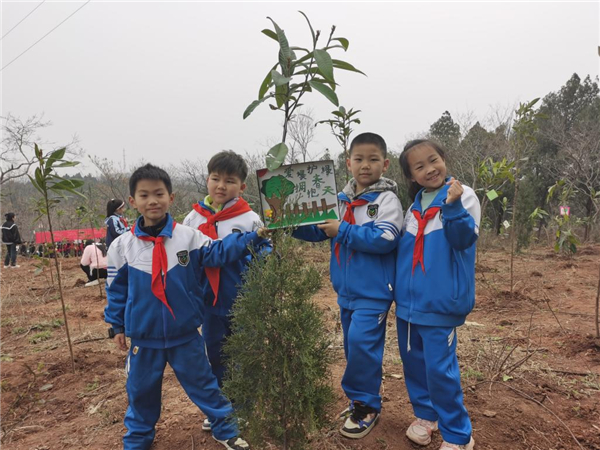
(221, 213)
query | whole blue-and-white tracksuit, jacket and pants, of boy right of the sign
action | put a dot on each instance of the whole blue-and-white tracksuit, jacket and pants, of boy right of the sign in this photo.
(363, 280)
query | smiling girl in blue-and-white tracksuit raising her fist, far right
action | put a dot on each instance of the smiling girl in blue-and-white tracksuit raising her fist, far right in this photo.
(435, 290)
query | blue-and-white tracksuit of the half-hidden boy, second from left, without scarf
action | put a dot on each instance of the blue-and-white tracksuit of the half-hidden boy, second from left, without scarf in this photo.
(217, 320)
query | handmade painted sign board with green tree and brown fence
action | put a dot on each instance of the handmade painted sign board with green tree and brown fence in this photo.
(298, 194)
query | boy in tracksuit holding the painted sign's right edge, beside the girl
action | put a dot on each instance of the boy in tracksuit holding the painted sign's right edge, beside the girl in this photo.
(362, 268)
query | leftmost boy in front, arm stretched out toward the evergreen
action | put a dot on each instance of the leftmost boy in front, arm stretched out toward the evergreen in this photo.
(154, 297)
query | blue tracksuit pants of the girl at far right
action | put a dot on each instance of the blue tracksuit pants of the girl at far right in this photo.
(433, 378)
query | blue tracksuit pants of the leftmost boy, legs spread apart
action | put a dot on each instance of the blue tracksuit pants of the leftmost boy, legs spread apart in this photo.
(145, 367)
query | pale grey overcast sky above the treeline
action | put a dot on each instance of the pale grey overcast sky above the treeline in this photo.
(169, 81)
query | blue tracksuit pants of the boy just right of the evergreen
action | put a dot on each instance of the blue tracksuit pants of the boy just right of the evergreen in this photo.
(364, 339)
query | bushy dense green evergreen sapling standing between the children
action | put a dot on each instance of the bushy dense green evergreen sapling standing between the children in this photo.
(278, 354)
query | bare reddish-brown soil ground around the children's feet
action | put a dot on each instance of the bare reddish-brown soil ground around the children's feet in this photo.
(530, 364)
